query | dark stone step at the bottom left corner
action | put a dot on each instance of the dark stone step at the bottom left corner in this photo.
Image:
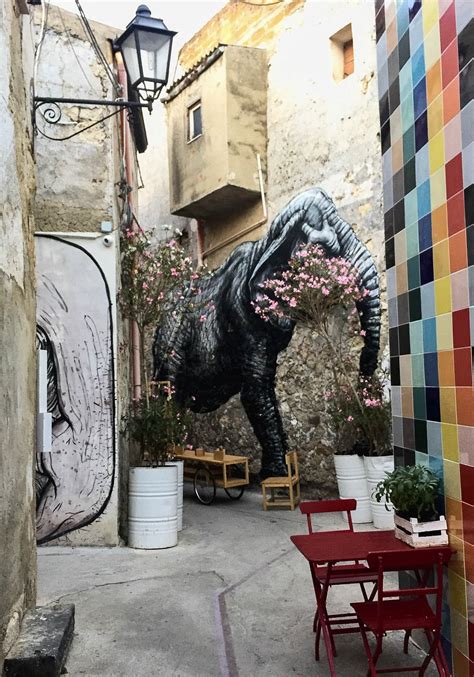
(43, 643)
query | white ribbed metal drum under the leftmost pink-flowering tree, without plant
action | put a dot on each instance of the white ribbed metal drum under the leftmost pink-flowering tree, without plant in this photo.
(153, 507)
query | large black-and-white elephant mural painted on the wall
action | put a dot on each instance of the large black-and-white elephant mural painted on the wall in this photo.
(234, 350)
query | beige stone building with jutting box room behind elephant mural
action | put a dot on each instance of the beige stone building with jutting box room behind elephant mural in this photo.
(274, 99)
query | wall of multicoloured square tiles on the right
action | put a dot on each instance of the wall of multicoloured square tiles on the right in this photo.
(426, 83)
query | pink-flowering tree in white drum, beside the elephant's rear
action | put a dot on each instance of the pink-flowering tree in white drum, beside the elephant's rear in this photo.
(154, 421)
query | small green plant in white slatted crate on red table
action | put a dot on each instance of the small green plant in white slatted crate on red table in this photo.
(413, 491)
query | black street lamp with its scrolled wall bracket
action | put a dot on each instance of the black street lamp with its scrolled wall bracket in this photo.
(145, 46)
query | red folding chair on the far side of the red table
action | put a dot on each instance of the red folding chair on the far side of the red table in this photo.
(335, 574)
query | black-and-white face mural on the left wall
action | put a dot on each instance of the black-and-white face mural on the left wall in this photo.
(74, 326)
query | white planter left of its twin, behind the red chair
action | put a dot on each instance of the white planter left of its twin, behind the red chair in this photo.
(350, 475)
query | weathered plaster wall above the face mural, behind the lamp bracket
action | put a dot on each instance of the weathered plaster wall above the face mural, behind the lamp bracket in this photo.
(75, 188)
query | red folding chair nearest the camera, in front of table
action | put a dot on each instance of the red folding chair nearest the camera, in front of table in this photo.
(406, 609)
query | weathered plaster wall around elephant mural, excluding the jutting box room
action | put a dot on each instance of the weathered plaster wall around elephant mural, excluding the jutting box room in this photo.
(320, 132)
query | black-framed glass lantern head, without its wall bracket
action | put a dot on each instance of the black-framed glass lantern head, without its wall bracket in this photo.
(146, 50)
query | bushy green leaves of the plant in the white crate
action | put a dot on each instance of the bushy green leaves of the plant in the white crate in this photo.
(412, 490)
